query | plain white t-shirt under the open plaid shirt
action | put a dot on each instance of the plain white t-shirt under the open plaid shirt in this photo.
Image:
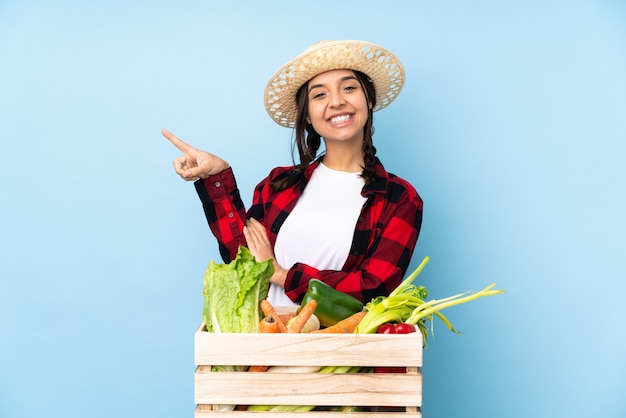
(319, 230)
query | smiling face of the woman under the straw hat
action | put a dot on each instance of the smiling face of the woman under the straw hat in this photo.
(337, 107)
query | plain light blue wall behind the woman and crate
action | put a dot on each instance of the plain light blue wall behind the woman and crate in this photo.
(511, 126)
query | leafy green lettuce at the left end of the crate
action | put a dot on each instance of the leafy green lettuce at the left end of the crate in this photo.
(233, 292)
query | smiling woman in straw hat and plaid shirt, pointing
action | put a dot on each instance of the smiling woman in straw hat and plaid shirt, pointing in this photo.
(339, 217)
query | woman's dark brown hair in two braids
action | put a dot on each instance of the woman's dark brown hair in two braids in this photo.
(308, 141)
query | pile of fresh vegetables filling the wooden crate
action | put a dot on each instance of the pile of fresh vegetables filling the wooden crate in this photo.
(235, 301)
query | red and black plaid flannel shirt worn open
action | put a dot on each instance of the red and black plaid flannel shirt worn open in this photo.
(384, 238)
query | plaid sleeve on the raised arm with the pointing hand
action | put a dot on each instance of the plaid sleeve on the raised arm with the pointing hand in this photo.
(224, 211)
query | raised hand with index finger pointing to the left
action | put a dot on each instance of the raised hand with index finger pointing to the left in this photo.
(194, 163)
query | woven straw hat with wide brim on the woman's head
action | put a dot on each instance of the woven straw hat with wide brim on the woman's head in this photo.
(380, 65)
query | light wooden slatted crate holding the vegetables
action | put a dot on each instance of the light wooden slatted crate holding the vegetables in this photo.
(387, 394)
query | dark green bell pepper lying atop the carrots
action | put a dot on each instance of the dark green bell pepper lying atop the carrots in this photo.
(332, 304)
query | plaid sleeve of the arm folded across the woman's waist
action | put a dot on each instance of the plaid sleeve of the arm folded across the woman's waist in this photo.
(381, 268)
